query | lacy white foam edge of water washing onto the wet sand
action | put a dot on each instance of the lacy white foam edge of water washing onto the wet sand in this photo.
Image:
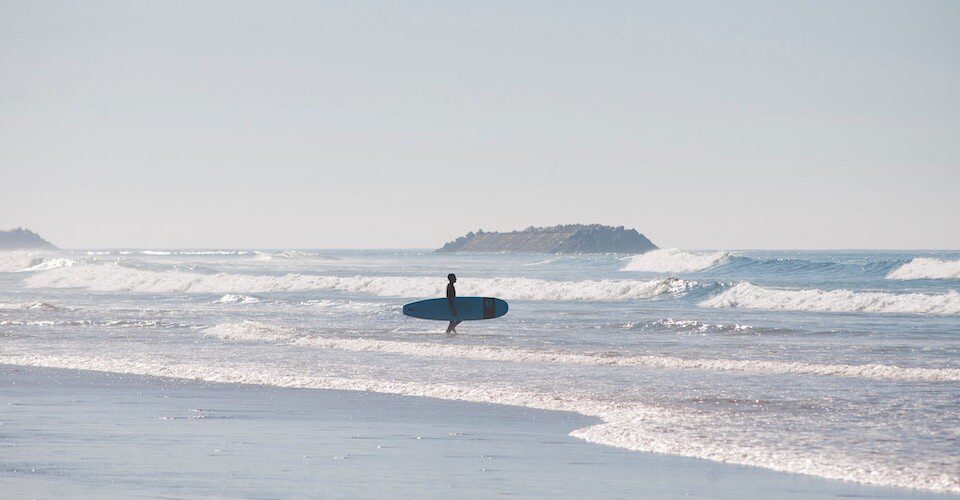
(634, 425)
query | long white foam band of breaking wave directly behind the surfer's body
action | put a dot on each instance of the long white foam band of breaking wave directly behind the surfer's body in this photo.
(118, 278)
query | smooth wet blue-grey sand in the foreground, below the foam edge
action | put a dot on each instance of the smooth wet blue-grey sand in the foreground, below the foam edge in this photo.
(72, 424)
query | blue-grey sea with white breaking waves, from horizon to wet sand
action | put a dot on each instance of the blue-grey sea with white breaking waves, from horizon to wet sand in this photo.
(843, 365)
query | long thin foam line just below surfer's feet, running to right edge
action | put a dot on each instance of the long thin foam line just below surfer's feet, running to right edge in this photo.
(507, 354)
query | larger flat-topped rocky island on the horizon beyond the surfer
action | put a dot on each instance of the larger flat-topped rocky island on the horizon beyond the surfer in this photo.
(570, 238)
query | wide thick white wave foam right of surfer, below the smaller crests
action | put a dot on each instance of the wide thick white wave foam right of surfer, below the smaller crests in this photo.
(749, 296)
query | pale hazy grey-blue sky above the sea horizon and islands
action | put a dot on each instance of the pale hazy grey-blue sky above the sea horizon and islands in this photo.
(404, 124)
